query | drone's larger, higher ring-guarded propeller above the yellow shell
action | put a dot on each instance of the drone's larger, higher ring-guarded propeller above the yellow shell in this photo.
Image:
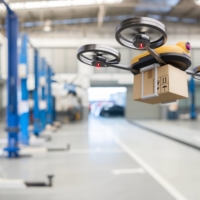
(151, 29)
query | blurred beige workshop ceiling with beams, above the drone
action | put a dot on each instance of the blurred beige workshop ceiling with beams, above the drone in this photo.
(103, 16)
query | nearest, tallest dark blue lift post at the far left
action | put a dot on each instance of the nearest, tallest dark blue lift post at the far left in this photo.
(12, 110)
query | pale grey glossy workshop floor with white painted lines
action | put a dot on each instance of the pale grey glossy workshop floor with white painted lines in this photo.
(109, 159)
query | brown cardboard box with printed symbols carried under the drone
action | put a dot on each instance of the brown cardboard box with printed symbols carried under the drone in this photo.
(172, 85)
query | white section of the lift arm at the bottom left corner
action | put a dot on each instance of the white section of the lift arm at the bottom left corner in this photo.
(12, 184)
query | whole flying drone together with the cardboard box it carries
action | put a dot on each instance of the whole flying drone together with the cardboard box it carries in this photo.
(157, 63)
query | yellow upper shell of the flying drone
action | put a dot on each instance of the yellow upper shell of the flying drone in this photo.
(179, 48)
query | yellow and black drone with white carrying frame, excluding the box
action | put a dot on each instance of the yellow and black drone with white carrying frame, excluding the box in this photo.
(141, 33)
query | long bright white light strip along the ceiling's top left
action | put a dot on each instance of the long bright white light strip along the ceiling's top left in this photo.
(56, 4)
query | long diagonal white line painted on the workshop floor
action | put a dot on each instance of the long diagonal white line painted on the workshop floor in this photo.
(177, 195)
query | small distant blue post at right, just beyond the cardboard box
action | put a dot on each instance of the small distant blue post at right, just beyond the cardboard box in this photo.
(193, 114)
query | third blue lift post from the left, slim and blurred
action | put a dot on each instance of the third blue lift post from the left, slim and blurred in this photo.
(36, 111)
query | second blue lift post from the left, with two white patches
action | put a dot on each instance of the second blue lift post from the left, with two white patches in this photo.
(23, 103)
